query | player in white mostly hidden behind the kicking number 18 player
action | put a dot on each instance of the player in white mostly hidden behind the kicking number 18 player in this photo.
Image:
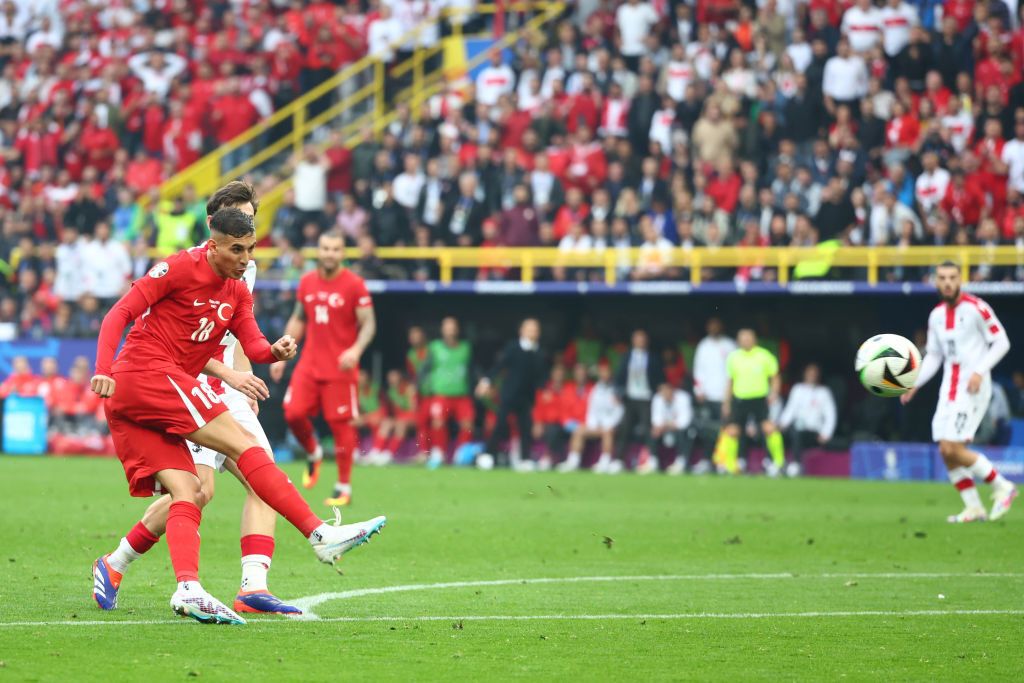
(238, 389)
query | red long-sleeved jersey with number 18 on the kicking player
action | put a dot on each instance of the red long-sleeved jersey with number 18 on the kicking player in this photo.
(190, 310)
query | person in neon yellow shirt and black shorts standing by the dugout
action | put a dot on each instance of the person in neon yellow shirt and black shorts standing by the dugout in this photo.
(753, 383)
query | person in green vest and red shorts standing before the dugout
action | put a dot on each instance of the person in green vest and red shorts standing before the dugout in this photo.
(446, 378)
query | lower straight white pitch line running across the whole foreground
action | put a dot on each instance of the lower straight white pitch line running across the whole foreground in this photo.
(558, 618)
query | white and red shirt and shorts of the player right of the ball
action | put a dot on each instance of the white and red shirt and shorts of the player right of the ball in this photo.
(966, 339)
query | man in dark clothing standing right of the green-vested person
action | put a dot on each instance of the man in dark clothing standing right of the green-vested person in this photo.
(521, 362)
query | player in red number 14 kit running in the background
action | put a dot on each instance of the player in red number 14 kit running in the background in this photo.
(335, 315)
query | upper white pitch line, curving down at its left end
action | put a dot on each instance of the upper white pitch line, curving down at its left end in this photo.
(310, 603)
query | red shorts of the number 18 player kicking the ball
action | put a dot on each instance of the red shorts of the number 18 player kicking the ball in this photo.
(149, 415)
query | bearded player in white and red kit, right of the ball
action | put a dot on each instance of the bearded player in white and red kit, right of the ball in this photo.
(967, 340)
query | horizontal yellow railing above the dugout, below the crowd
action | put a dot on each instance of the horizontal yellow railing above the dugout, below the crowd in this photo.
(611, 262)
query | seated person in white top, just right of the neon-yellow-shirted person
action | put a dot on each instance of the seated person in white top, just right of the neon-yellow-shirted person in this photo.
(809, 417)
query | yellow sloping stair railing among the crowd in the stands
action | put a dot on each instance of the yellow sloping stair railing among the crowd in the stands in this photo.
(363, 108)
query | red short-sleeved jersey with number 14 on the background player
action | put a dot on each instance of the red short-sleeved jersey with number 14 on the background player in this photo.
(331, 324)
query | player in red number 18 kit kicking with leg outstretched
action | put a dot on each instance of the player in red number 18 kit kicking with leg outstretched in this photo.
(182, 311)
